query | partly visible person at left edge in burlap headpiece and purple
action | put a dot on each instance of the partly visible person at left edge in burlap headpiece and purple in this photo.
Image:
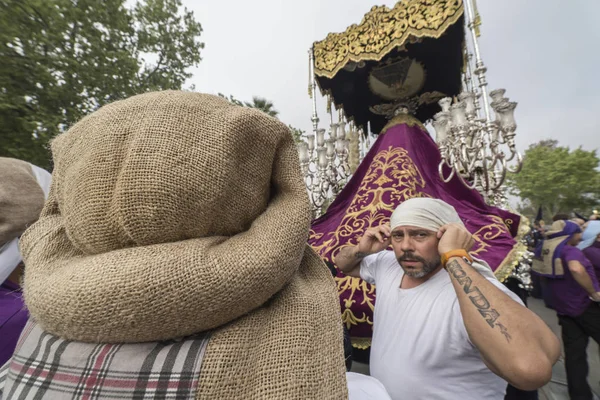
(23, 190)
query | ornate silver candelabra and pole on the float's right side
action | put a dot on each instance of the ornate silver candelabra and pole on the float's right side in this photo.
(474, 147)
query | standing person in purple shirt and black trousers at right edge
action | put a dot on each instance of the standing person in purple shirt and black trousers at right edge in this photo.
(575, 298)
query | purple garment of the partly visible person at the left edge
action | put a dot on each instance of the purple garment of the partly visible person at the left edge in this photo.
(13, 316)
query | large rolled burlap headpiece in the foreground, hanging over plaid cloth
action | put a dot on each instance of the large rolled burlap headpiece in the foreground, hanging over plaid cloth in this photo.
(172, 213)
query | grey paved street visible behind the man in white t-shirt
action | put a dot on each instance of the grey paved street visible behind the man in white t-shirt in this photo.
(556, 389)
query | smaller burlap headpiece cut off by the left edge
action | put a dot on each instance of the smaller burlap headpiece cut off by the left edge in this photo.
(21, 198)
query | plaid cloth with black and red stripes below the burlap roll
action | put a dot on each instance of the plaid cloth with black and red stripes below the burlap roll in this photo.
(47, 367)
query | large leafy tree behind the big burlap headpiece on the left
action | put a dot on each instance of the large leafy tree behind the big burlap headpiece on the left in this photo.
(62, 59)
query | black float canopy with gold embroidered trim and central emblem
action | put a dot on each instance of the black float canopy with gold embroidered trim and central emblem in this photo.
(411, 54)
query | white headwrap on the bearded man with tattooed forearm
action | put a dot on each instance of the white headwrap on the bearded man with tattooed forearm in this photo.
(432, 214)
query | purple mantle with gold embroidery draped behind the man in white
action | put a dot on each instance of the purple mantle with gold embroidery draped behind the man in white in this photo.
(401, 164)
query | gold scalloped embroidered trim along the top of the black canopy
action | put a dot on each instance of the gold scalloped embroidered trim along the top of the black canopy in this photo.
(383, 29)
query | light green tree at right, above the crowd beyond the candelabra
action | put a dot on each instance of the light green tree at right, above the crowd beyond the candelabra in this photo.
(557, 178)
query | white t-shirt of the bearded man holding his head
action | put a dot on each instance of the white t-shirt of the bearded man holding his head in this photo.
(420, 348)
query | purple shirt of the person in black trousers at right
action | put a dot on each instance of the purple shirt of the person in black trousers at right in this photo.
(568, 297)
